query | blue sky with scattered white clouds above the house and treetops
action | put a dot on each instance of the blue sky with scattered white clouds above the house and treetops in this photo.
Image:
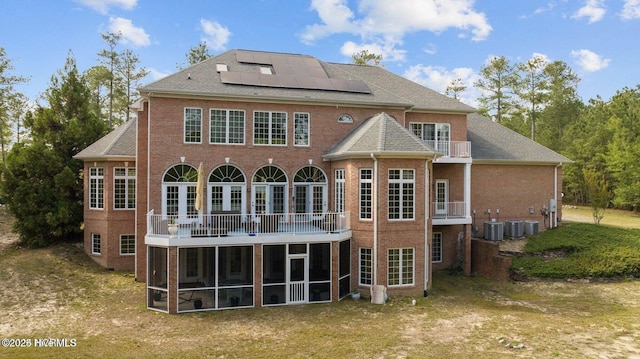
(431, 42)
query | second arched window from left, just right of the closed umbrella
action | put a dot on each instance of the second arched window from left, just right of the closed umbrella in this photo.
(227, 188)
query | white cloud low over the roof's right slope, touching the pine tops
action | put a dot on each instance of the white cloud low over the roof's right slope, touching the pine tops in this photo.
(439, 78)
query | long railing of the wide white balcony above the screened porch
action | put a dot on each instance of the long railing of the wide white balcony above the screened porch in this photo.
(225, 224)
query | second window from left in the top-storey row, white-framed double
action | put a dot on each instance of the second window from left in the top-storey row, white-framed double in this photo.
(226, 126)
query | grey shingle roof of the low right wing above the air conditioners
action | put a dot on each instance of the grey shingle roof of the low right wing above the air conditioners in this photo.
(494, 143)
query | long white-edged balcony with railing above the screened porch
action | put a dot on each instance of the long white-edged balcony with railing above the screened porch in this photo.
(230, 227)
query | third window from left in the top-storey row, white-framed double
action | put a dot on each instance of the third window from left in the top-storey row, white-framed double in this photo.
(270, 128)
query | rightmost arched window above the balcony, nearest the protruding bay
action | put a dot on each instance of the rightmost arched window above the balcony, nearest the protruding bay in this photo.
(310, 191)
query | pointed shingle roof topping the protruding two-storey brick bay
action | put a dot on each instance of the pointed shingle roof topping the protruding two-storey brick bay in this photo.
(382, 136)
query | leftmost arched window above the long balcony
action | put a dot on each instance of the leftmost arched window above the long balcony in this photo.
(179, 191)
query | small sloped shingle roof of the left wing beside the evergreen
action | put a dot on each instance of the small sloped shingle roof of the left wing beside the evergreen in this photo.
(117, 144)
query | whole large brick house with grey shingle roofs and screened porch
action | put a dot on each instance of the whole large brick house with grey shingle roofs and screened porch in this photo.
(258, 179)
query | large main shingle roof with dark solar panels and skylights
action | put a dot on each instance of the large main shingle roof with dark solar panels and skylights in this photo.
(338, 83)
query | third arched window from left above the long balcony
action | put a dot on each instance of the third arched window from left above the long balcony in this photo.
(269, 186)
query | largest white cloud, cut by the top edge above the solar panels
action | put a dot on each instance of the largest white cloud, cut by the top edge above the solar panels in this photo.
(386, 22)
